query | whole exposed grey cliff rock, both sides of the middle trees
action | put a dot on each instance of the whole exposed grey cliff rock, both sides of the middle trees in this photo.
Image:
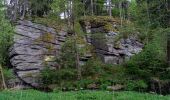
(36, 46)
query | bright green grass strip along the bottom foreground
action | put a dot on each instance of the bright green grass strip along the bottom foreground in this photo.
(79, 95)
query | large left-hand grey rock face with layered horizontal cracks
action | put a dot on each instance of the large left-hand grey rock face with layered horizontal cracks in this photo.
(34, 48)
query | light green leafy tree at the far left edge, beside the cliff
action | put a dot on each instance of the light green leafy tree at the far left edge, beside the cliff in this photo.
(6, 31)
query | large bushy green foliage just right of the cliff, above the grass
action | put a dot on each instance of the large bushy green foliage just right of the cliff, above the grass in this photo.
(151, 62)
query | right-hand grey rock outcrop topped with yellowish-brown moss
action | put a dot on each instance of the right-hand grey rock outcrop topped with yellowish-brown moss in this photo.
(102, 33)
